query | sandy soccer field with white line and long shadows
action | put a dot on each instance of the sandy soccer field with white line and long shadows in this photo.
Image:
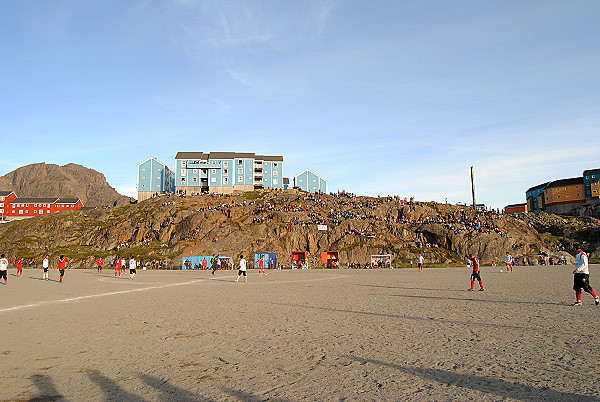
(299, 335)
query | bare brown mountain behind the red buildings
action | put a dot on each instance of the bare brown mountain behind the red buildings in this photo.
(69, 181)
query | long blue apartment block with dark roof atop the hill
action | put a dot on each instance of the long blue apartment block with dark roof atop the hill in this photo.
(226, 172)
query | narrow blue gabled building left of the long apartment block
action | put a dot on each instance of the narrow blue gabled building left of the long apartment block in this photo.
(154, 177)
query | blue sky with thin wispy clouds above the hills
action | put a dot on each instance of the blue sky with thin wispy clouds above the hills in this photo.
(378, 97)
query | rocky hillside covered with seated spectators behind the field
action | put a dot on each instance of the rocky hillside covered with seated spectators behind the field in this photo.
(167, 229)
